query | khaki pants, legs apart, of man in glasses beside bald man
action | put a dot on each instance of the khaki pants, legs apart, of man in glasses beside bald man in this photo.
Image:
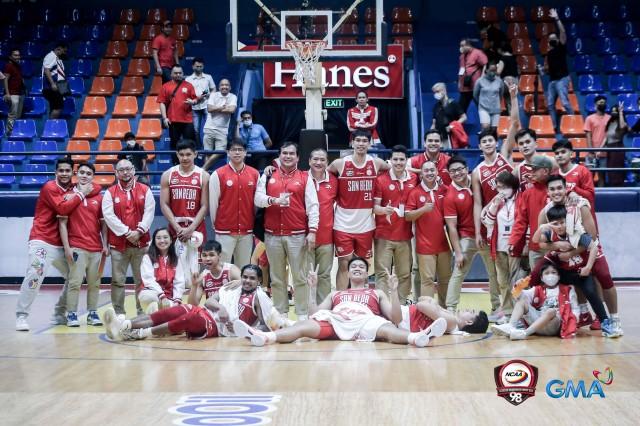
(469, 251)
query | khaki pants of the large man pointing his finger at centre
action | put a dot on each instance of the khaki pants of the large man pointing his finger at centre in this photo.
(280, 251)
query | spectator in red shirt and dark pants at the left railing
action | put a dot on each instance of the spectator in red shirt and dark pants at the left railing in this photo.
(176, 98)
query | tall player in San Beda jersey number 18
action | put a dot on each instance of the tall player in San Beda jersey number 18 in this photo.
(184, 199)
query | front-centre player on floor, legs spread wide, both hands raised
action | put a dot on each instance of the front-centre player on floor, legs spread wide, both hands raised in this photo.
(358, 313)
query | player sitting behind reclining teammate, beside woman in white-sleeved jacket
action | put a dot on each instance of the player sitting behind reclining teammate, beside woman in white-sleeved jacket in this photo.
(215, 275)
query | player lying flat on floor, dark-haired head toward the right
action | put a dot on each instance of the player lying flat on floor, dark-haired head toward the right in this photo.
(420, 316)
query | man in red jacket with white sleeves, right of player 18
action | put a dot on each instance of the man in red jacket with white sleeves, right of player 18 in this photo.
(232, 188)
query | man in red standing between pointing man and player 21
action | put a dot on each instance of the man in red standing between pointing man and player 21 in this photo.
(327, 188)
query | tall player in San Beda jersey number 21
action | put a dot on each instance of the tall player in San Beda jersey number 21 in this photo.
(354, 224)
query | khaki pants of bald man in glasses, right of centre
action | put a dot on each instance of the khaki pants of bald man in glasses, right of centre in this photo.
(430, 267)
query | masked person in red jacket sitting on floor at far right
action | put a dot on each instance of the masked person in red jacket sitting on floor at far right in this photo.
(549, 309)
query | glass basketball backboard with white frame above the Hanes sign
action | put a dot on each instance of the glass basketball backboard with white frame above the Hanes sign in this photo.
(259, 29)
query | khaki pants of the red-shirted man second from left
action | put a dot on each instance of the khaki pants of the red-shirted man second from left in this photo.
(87, 264)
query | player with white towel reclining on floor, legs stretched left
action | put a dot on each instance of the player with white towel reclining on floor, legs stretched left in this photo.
(246, 302)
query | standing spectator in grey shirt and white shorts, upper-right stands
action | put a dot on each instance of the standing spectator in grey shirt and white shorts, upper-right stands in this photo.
(487, 93)
